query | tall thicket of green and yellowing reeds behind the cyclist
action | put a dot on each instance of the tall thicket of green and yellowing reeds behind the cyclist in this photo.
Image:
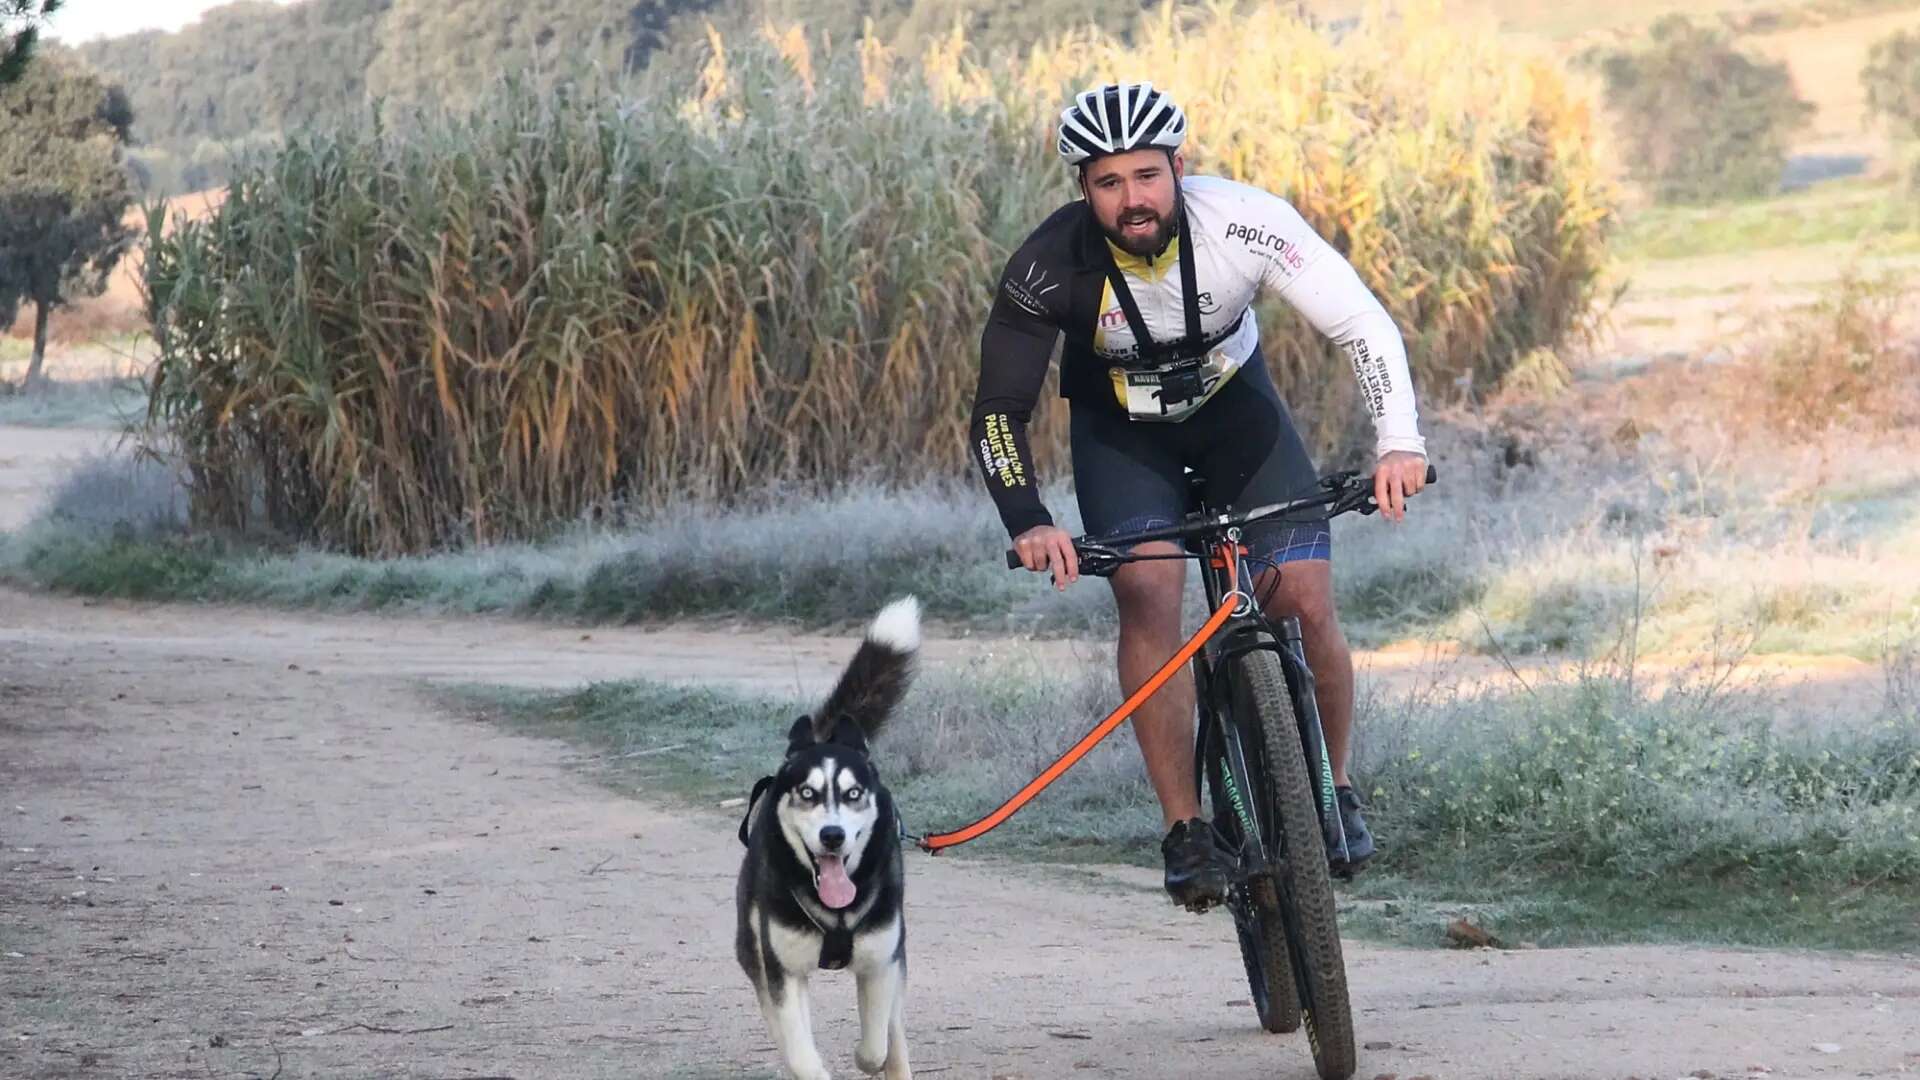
(473, 328)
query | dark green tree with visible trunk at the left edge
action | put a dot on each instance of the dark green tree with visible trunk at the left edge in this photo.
(64, 191)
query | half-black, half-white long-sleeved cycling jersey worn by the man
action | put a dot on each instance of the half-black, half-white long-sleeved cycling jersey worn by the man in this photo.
(1237, 239)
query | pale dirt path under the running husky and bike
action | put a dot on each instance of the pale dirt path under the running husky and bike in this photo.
(247, 845)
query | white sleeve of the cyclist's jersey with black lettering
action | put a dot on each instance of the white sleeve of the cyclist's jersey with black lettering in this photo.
(1324, 287)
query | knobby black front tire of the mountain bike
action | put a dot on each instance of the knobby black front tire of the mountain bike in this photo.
(1301, 858)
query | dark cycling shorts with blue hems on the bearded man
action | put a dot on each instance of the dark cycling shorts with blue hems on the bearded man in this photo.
(1243, 443)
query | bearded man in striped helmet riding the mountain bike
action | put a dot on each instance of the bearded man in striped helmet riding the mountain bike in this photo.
(1151, 278)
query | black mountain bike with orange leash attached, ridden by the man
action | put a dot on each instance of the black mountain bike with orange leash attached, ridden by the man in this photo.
(1262, 758)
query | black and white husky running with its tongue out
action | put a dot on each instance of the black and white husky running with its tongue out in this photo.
(823, 883)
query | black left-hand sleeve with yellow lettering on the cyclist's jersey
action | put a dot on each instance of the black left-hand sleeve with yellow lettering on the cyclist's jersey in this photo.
(1013, 368)
